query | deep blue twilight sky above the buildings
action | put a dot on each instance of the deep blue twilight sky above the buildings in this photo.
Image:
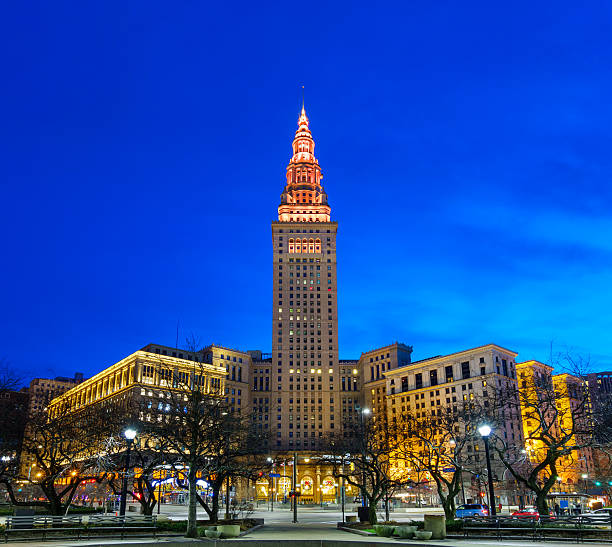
(465, 146)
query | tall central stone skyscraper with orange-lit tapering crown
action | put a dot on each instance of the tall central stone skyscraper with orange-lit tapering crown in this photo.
(305, 369)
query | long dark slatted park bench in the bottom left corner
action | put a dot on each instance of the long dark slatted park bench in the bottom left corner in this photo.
(81, 526)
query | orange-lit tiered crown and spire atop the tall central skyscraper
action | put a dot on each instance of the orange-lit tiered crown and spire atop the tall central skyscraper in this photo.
(303, 199)
